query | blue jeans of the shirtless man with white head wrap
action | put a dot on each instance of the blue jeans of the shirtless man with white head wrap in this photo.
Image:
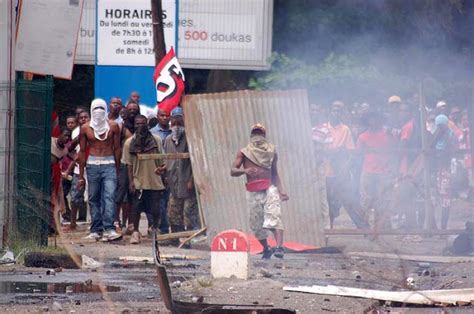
(102, 181)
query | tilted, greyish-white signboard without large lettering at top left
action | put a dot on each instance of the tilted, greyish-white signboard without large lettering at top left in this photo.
(47, 36)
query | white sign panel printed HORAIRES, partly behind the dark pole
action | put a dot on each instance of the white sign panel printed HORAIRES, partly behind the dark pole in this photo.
(125, 32)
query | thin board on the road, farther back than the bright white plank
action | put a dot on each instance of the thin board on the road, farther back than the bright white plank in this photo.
(417, 258)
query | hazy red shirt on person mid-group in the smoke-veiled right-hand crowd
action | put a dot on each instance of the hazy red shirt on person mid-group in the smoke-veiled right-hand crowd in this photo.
(376, 148)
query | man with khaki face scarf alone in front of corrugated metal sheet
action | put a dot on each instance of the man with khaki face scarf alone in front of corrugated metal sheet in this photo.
(264, 189)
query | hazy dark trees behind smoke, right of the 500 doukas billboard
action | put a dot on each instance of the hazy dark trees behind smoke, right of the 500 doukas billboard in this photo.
(367, 50)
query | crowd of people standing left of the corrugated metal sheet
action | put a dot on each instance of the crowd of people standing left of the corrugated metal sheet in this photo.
(95, 166)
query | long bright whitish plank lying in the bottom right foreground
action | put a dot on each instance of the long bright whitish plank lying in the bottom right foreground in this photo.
(450, 296)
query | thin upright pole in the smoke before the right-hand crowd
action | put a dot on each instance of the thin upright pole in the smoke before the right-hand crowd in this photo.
(430, 222)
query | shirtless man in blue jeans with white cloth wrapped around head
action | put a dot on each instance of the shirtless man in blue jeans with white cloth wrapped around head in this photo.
(103, 139)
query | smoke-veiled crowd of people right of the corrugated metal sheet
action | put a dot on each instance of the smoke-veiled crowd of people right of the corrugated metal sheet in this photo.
(372, 161)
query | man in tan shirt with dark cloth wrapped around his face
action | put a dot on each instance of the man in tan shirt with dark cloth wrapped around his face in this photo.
(145, 181)
